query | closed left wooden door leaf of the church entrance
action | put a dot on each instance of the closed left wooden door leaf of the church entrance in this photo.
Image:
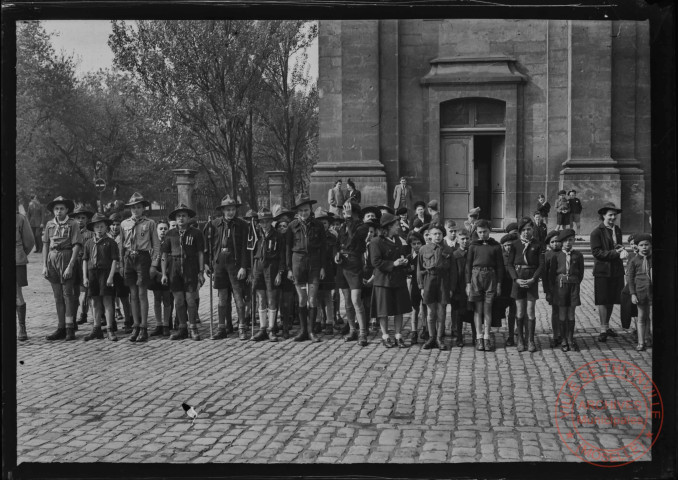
(456, 161)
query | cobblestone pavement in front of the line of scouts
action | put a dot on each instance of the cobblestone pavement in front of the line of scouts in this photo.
(329, 402)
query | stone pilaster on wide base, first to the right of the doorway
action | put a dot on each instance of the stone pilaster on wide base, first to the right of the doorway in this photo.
(590, 168)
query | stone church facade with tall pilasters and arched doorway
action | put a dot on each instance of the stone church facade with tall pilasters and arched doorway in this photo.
(488, 113)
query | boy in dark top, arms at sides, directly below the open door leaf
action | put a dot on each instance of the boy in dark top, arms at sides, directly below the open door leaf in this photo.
(484, 272)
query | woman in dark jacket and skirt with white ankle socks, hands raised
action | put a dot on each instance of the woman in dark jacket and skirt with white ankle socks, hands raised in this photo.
(390, 296)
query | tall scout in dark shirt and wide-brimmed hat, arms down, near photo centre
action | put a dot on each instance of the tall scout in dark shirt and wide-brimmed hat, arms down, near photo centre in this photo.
(306, 255)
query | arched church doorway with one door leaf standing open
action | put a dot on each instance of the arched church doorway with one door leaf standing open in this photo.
(472, 158)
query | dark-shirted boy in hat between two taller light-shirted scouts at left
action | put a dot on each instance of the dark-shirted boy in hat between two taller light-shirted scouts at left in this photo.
(100, 262)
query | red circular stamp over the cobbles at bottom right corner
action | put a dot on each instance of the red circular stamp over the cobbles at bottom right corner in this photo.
(605, 411)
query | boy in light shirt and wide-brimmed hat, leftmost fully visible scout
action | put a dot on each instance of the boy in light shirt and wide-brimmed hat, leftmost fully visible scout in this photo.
(62, 243)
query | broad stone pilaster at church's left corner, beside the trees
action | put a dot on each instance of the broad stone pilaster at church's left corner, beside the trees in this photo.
(349, 120)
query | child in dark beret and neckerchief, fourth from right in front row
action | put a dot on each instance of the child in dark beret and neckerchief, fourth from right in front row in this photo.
(526, 265)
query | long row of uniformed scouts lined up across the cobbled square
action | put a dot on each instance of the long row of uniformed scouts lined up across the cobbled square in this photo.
(401, 264)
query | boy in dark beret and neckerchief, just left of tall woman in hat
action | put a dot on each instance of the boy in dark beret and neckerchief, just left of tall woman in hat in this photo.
(566, 273)
